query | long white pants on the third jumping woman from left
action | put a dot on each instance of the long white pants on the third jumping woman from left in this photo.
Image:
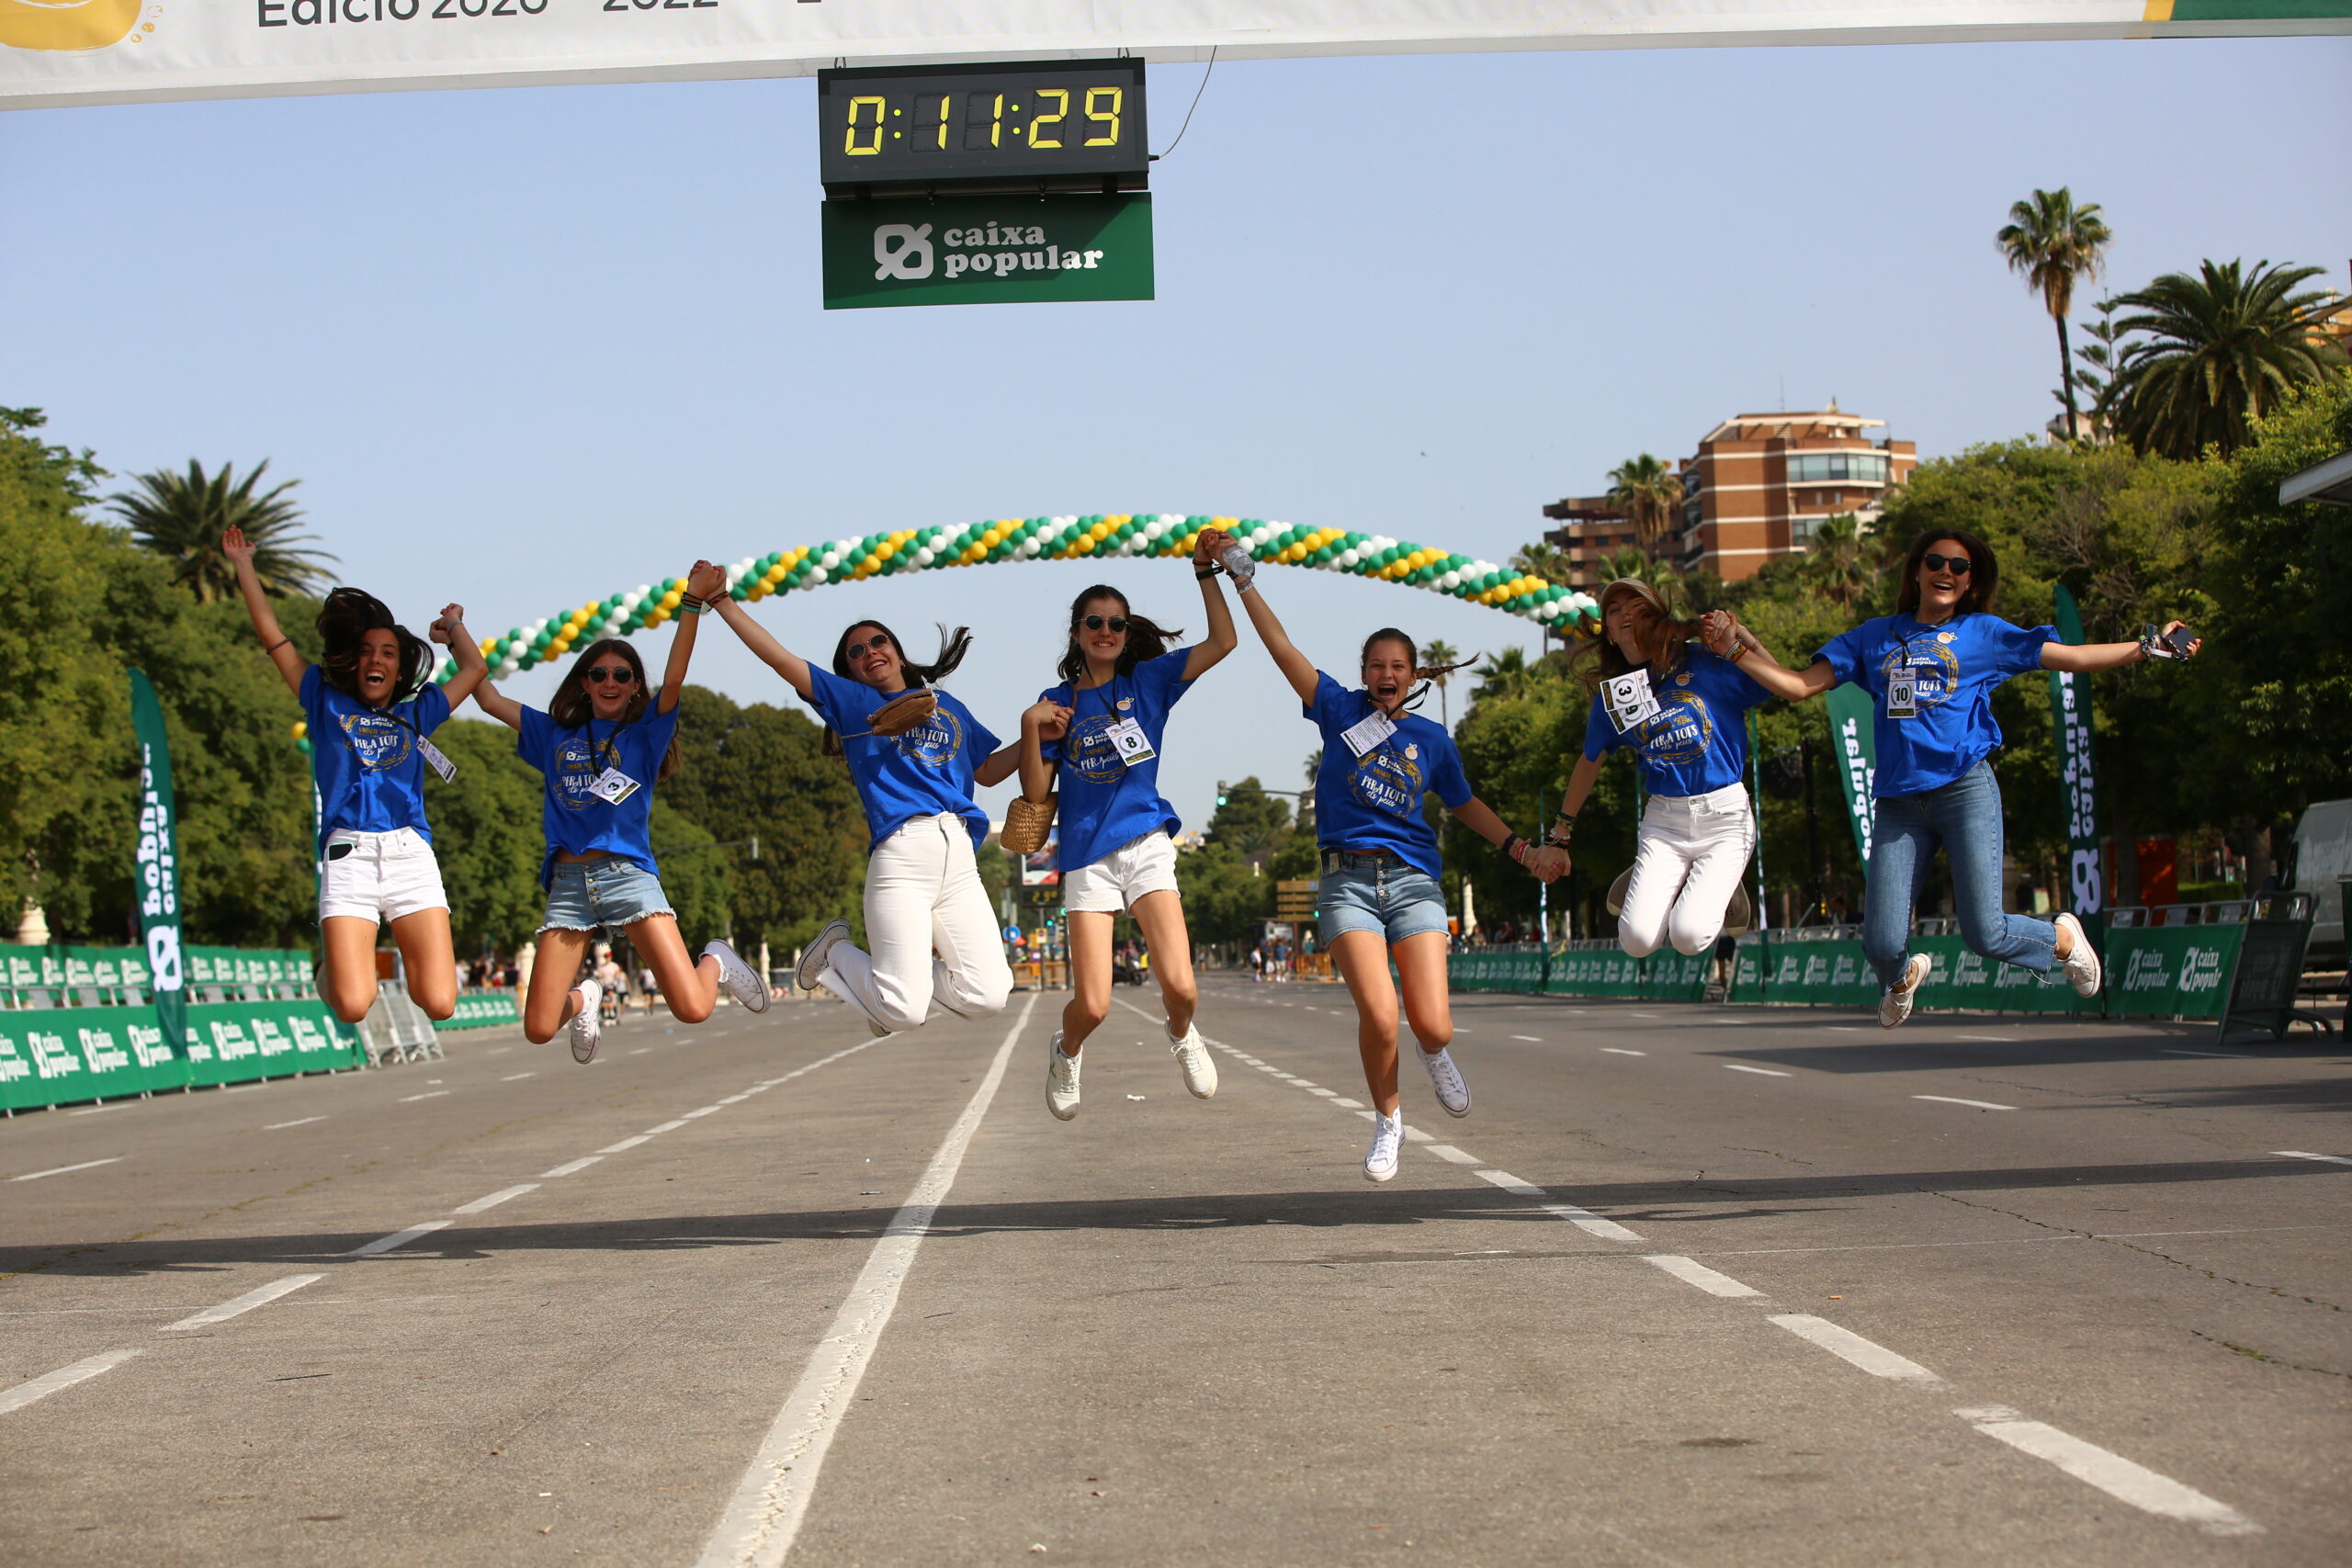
(923, 892)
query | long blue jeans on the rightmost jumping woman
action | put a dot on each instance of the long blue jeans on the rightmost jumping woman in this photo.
(1965, 817)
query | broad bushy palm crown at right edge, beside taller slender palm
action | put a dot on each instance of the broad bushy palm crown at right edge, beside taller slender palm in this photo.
(2221, 351)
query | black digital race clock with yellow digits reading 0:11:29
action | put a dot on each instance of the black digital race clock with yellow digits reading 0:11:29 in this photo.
(1020, 126)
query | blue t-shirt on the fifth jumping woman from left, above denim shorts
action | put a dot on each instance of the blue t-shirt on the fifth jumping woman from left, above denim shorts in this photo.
(1375, 800)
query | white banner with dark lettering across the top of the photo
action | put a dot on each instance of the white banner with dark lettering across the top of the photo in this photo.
(131, 51)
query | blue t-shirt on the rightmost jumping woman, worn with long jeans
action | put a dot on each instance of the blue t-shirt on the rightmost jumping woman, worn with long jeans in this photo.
(1958, 666)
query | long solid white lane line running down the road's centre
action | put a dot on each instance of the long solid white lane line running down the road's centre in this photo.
(770, 1503)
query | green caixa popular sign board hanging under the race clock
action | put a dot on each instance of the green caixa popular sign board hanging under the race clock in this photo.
(989, 250)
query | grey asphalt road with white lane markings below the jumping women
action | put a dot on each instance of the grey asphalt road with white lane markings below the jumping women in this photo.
(1688, 1287)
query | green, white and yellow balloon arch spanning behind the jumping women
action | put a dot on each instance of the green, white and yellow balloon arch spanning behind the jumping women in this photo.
(1057, 540)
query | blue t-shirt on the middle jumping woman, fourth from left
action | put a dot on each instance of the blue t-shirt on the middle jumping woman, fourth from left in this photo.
(1104, 800)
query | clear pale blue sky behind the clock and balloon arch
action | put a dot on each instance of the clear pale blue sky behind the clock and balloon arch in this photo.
(528, 349)
